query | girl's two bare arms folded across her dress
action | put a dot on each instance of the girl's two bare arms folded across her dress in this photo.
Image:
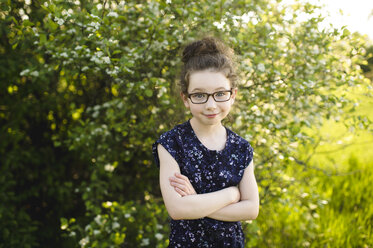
(229, 204)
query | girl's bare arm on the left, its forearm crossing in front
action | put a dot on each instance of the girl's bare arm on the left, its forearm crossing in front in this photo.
(193, 206)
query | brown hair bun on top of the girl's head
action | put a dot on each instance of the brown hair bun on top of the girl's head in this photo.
(206, 46)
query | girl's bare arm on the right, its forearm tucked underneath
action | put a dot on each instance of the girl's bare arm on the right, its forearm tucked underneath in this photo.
(248, 206)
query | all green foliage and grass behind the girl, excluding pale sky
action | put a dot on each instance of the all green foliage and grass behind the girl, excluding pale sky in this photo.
(87, 86)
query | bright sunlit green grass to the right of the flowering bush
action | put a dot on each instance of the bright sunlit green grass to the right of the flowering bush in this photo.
(330, 201)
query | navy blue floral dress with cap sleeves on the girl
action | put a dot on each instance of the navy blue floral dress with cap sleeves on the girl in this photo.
(208, 171)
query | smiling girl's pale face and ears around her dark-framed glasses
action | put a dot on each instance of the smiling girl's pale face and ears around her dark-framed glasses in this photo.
(206, 81)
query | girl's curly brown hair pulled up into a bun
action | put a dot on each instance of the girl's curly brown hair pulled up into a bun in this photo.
(207, 54)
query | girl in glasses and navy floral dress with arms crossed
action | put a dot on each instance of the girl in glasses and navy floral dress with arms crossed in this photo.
(206, 170)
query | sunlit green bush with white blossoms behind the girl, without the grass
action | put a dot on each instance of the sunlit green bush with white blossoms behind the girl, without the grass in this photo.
(100, 79)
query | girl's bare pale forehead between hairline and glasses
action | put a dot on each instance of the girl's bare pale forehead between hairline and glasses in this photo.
(208, 81)
